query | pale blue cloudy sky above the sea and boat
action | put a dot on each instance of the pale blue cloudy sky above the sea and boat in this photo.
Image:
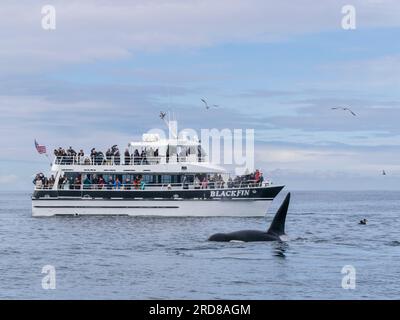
(102, 76)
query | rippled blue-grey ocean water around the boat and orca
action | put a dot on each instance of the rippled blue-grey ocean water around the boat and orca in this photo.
(170, 258)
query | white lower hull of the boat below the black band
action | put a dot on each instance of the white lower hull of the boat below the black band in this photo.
(172, 208)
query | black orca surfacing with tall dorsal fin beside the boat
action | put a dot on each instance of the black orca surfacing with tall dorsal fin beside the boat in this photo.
(276, 231)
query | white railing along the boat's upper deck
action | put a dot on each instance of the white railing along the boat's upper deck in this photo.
(125, 160)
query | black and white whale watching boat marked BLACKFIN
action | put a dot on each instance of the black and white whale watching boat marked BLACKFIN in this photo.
(154, 177)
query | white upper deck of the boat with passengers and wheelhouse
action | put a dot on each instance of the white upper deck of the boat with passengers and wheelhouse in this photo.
(151, 154)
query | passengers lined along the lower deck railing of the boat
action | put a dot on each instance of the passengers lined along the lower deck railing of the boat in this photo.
(98, 182)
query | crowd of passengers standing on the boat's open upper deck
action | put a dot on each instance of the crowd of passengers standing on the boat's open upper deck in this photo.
(111, 156)
